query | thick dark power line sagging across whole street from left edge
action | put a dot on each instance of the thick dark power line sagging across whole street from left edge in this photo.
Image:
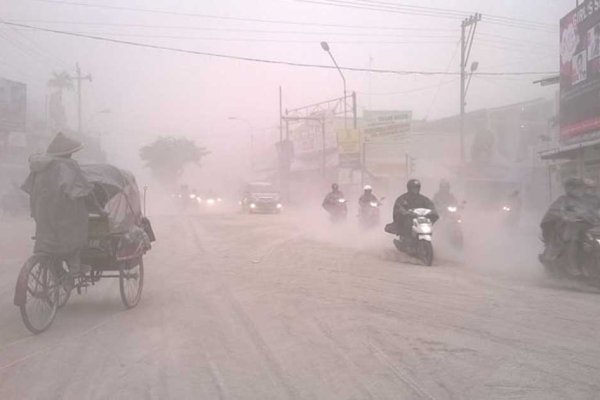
(260, 60)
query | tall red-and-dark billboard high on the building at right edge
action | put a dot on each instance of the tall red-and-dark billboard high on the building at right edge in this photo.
(580, 73)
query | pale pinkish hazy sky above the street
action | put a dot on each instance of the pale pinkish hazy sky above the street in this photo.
(153, 91)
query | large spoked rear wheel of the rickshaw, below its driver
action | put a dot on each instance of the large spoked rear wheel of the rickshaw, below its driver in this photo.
(42, 297)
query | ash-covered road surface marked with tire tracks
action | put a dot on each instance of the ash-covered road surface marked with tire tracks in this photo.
(253, 307)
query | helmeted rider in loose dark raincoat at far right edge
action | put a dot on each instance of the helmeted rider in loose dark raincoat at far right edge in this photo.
(562, 225)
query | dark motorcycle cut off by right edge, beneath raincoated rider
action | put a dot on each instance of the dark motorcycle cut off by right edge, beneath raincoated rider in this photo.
(555, 259)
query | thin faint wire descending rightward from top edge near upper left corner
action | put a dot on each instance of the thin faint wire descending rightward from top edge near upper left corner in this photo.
(227, 18)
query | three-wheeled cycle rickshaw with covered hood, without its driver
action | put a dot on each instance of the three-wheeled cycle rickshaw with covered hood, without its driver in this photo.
(116, 245)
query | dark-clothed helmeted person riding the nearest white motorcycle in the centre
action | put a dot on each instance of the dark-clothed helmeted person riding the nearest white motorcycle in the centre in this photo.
(410, 200)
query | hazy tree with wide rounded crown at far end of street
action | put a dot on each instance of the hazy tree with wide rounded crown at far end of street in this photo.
(168, 156)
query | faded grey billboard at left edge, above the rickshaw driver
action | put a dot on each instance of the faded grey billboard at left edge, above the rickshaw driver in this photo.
(13, 105)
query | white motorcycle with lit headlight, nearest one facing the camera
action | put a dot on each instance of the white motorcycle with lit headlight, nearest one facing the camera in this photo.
(419, 243)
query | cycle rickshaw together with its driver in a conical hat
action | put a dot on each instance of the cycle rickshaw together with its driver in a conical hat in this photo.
(89, 225)
